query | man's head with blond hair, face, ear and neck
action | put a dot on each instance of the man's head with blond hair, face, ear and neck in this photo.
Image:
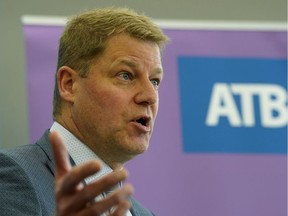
(106, 92)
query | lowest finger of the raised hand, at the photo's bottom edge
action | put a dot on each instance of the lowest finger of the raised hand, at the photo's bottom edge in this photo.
(118, 201)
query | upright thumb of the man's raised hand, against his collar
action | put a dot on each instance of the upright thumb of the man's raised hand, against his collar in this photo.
(60, 154)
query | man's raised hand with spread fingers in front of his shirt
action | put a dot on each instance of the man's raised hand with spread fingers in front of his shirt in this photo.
(73, 198)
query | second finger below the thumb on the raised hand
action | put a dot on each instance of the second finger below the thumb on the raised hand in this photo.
(89, 192)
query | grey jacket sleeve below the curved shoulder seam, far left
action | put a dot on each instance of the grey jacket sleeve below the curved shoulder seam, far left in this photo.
(18, 196)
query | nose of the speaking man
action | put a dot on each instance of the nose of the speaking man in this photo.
(147, 93)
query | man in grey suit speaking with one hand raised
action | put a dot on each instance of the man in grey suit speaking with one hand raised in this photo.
(105, 104)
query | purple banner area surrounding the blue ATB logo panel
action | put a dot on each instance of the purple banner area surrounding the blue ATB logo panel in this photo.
(167, 179)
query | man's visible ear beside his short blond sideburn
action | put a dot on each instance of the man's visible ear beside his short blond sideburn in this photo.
(66, 78)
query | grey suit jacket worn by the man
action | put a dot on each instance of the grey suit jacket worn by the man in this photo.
(27, 181)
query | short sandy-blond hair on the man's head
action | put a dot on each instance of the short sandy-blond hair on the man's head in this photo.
(85, 36)
